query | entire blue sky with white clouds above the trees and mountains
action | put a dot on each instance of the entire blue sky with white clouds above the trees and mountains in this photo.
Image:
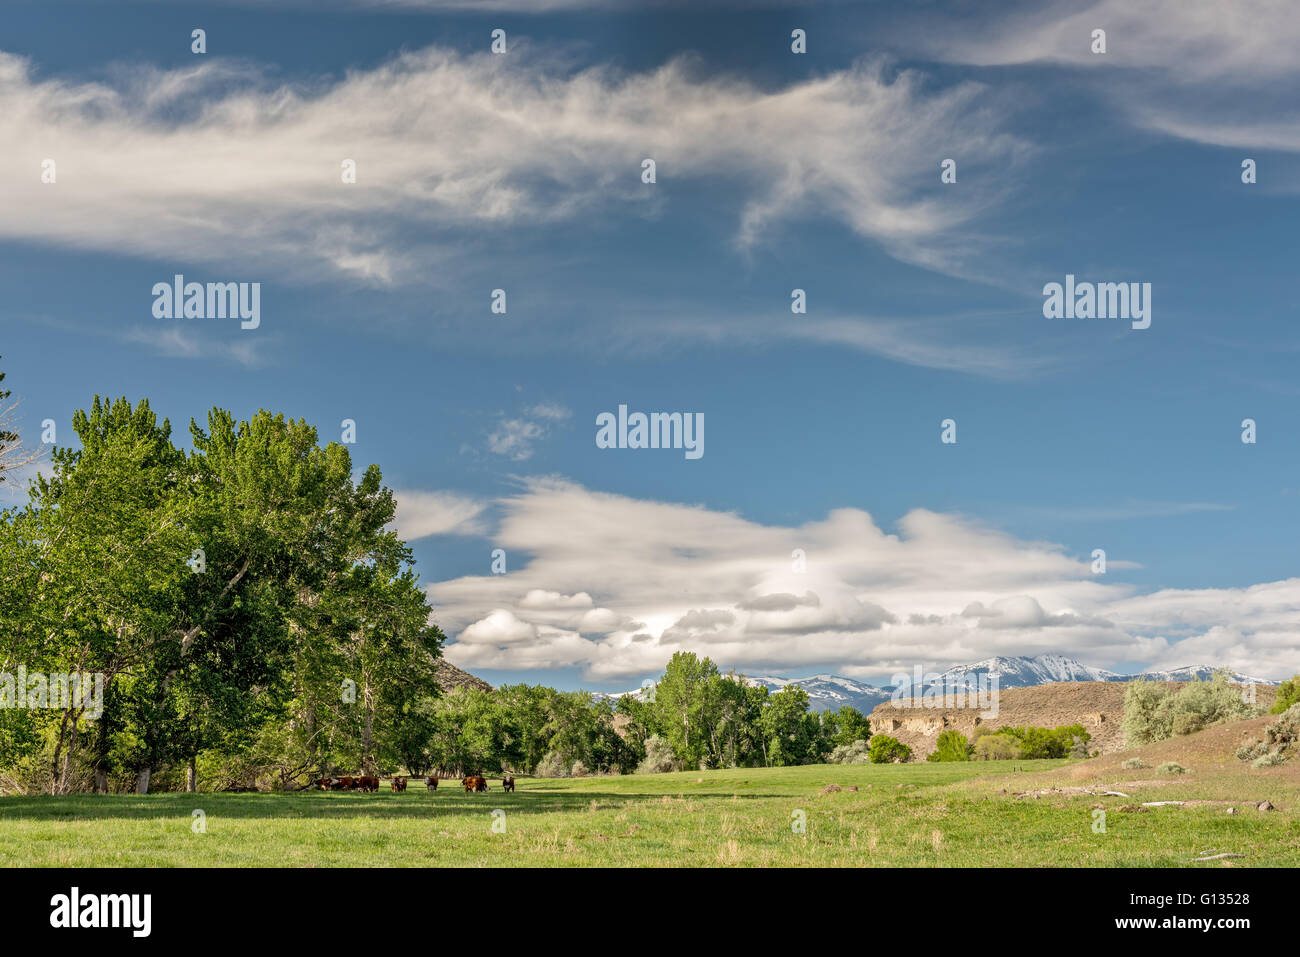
(775, 172)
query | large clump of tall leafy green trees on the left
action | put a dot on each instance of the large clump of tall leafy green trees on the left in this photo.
(226, 596)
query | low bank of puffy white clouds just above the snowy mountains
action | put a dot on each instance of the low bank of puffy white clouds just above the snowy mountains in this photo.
(616, 586)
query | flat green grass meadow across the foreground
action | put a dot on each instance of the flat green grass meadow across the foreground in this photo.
(902, 816)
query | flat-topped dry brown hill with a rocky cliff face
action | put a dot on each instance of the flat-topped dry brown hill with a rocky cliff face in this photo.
(1099, 707)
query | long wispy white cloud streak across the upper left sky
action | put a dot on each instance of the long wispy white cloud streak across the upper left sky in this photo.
(223, 163)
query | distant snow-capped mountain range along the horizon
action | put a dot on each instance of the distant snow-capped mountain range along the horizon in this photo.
(829, 692)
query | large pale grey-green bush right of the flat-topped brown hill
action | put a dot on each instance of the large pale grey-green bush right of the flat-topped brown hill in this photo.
(1154, 712)
